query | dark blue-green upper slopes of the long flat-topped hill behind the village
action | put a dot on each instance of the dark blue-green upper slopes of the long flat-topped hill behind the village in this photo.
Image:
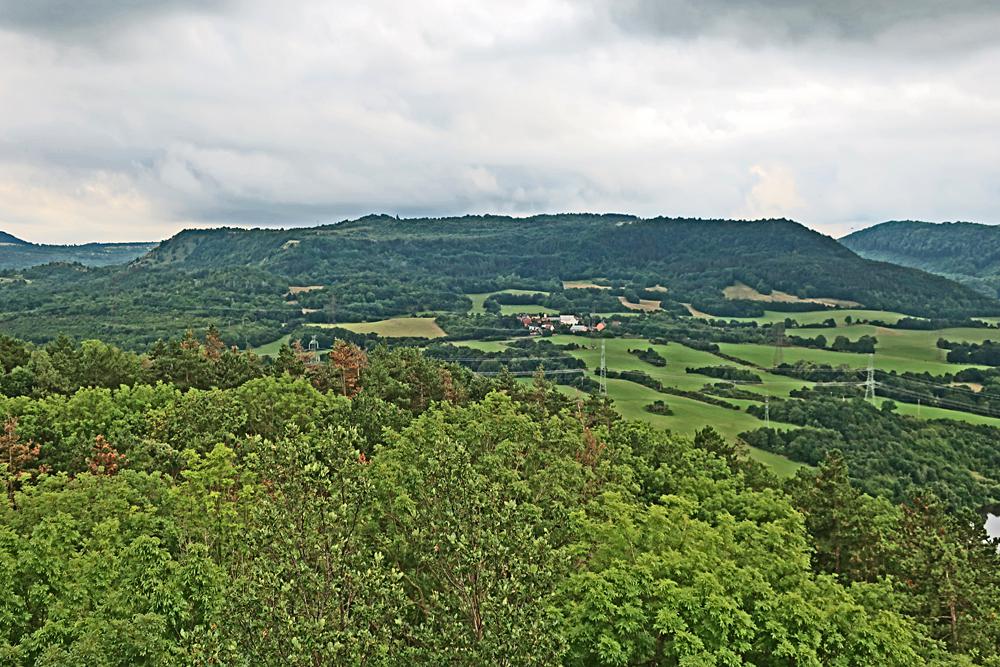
(696, 258)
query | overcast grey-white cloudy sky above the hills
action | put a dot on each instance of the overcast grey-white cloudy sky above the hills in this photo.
(132, 120)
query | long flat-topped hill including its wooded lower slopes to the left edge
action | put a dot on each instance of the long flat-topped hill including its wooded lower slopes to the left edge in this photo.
(380, 266)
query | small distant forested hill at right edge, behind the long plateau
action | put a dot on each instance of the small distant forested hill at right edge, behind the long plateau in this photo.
(964, 251)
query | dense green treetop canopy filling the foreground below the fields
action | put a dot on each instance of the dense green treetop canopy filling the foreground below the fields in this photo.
(195, 504)
